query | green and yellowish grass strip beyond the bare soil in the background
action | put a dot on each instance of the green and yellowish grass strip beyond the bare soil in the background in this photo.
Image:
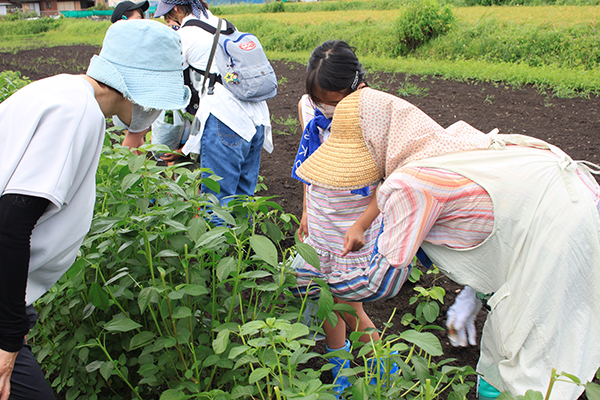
(483, 45)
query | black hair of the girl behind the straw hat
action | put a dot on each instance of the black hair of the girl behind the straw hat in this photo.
(334, 67)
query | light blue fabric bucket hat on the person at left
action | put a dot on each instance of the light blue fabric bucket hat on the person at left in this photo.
(142, 60)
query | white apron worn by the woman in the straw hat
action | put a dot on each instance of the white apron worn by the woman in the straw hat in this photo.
(541, 261)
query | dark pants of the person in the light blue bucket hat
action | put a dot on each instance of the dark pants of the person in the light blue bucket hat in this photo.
(27, 381)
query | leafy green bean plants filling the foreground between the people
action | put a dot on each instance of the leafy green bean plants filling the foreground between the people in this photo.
(163, 304)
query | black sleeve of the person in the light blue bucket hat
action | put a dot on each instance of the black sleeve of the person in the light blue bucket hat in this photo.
(18, 216)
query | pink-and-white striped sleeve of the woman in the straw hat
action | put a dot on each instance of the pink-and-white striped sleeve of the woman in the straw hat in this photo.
(433, 205)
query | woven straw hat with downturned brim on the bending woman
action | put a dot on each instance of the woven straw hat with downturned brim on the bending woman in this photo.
(343, 161)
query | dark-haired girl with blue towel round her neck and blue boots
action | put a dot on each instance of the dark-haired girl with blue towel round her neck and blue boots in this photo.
(333, 72)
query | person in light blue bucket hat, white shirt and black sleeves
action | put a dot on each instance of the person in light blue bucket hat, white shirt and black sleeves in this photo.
(49, 162)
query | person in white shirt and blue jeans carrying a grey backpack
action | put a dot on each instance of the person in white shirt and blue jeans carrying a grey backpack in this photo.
(231, 132)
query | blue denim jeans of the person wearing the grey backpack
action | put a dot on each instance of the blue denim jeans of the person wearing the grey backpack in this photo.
(230, 157)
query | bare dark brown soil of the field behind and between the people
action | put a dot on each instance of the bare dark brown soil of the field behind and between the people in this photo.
(571, 124)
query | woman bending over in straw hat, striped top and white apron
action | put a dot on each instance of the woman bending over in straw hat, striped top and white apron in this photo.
(509, 215)
